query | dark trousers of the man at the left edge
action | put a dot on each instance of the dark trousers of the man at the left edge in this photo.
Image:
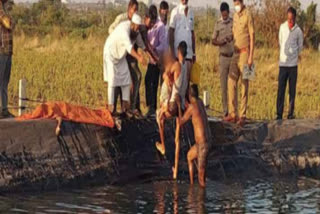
(5, 72)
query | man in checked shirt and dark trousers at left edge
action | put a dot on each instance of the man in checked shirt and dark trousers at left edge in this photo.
(6, 28)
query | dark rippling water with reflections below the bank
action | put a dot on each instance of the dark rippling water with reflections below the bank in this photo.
(257, 196)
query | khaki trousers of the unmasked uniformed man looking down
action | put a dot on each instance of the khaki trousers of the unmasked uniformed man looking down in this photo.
(224, 66)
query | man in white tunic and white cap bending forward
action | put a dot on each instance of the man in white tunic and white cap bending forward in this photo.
(115, 69)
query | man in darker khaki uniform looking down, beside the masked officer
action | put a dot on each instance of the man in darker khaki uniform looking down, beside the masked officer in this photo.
(222, 37)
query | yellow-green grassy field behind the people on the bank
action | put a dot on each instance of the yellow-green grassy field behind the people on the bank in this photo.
(71, 70)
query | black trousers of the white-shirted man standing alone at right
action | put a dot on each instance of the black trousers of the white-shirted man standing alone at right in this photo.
(285, 74)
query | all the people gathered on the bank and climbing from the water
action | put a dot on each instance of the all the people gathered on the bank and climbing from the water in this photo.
(170, 47)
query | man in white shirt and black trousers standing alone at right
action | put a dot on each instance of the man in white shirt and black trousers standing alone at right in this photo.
(291, 44)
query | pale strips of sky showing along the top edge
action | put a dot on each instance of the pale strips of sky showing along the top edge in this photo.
(212, 3)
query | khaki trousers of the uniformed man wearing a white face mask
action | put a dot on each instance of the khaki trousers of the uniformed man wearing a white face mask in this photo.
(235, 74)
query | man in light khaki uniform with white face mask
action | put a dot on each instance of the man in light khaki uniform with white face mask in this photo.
(243, 35)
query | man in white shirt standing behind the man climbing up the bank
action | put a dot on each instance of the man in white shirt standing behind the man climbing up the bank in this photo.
(182, 29)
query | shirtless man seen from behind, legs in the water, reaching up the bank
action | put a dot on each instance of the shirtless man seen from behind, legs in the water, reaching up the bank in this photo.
(196, 111)
